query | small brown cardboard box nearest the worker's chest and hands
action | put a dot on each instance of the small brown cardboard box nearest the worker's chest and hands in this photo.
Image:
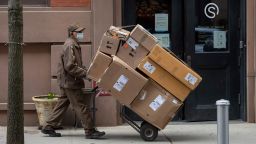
(98, 66)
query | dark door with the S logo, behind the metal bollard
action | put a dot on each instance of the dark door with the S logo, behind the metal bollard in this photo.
(212, 49)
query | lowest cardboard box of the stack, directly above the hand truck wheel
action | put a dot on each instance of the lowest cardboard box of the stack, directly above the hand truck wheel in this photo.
(156, 105)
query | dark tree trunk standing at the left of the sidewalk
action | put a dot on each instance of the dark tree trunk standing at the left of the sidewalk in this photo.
(15, 115)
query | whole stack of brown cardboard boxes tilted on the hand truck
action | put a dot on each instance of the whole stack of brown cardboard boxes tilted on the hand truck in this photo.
(142, 75)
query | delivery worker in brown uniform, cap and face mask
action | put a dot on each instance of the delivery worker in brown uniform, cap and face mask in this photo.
(70, 79)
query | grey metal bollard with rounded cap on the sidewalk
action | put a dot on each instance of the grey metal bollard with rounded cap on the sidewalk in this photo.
(223, 121)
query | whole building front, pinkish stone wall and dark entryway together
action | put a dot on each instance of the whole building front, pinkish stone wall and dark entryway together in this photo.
(216, 38)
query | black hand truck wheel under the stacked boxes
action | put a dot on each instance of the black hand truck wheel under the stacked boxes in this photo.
(148, 132)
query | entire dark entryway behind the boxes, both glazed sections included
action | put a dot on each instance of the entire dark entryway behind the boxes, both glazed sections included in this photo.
(205, 34)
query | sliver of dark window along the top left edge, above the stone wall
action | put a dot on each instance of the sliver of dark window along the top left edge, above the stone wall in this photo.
(29, 2)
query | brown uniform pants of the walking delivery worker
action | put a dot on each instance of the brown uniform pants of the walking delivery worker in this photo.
(80, 103)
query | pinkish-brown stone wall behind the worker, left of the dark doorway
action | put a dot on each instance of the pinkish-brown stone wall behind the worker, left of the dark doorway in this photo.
(45, 30)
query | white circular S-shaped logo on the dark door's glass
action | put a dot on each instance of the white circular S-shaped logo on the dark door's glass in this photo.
(211, 10)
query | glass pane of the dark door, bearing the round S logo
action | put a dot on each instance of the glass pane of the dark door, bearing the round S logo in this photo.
(211, 31)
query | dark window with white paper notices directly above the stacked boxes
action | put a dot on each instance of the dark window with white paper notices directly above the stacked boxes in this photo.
(154, 15)
